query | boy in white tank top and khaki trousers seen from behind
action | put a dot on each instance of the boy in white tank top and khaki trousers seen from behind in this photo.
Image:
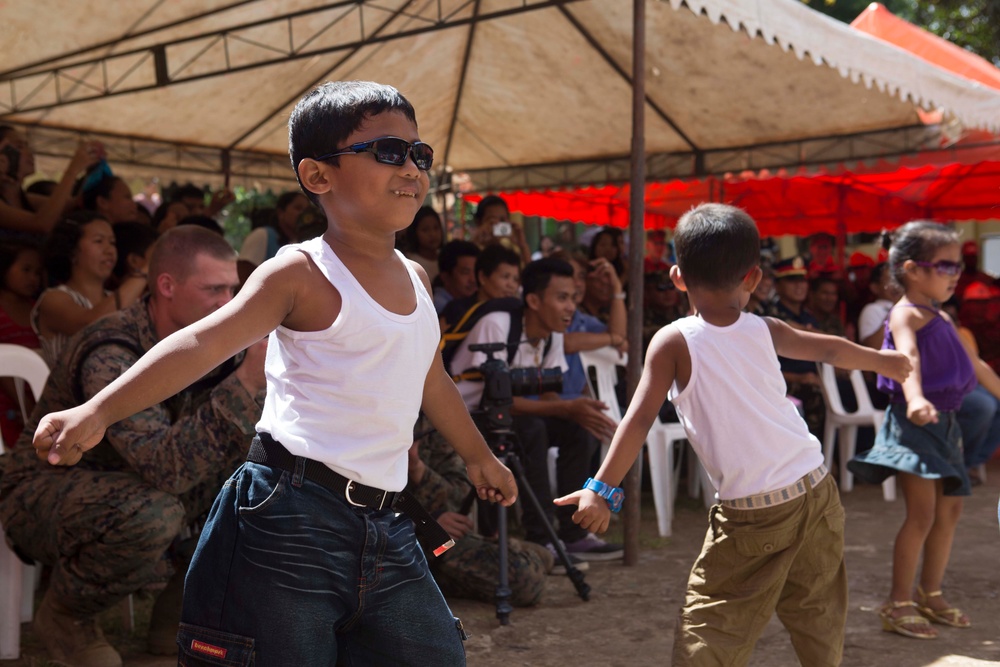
(776, 538)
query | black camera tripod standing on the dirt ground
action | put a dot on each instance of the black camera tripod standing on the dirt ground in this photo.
(503, 442)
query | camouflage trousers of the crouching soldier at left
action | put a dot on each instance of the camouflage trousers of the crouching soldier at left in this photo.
(104, 533)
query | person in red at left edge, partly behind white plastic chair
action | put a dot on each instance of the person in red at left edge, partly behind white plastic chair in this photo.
(20, 282)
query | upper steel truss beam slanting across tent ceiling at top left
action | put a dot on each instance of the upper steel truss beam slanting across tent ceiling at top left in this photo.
(336, 26)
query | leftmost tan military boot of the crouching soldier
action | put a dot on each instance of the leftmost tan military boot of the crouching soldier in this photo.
(72, 640)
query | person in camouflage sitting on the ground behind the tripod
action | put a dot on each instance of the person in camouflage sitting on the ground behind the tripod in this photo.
(471, 568)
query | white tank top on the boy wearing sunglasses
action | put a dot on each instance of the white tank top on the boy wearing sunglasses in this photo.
(349, 395)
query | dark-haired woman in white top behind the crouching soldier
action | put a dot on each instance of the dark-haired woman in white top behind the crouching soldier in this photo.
(80, 257)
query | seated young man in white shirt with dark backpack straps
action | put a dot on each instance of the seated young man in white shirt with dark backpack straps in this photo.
(546, 420)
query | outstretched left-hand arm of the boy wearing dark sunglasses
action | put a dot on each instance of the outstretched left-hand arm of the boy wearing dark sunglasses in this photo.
(174, 363)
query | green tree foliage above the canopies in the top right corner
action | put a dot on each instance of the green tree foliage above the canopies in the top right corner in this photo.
(971, 24)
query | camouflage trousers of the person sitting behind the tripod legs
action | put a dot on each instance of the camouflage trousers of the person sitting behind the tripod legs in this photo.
(470, 570)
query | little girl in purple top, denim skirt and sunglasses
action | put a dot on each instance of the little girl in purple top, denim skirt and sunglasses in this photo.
(921, 441)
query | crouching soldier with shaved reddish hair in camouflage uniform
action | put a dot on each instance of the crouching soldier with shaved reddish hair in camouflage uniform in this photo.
(106, 525)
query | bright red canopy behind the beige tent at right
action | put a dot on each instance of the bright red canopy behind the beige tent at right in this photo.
(961, 183)
